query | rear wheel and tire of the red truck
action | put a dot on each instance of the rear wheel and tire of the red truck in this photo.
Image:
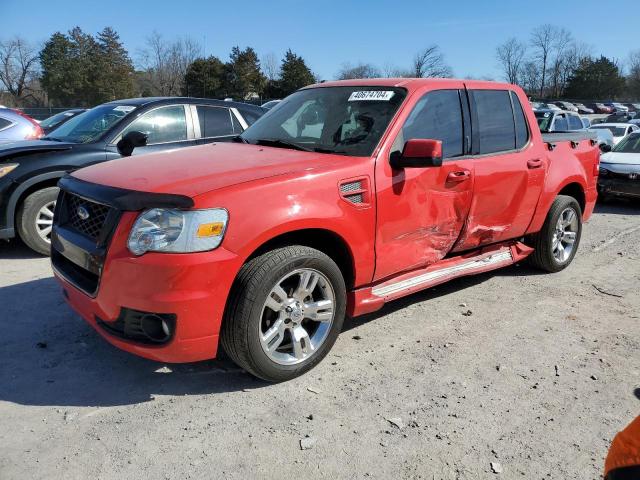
(547, 256)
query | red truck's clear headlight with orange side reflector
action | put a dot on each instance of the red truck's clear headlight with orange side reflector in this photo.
(178, 231)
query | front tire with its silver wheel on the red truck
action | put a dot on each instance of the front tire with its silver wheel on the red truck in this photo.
(254, 311)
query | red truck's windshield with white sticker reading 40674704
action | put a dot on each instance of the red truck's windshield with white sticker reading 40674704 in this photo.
(345, 120)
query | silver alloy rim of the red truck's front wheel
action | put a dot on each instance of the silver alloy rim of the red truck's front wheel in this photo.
(297, 316)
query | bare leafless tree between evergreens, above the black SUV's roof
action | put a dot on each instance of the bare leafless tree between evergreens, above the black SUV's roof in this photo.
(166, 63)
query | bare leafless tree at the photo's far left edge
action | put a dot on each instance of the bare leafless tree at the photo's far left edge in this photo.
(18, 67)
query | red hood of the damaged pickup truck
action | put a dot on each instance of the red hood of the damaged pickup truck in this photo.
(195, 170)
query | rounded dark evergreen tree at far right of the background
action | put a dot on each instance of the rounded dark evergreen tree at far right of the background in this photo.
(595, 79)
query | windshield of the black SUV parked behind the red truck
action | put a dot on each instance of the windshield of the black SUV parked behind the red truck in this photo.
(90, 125)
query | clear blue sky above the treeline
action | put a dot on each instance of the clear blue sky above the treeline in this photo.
(330, 32)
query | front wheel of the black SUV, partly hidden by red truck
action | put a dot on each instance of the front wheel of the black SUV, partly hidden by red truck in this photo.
(31, 214)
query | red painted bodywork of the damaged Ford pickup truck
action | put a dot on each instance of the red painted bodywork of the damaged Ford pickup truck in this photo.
(410, 221)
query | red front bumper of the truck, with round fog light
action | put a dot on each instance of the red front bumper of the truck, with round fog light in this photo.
(189, 289)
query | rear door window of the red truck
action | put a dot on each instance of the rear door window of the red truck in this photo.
(496, 128)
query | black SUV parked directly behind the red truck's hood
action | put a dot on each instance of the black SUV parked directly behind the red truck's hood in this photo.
(29, 171)
